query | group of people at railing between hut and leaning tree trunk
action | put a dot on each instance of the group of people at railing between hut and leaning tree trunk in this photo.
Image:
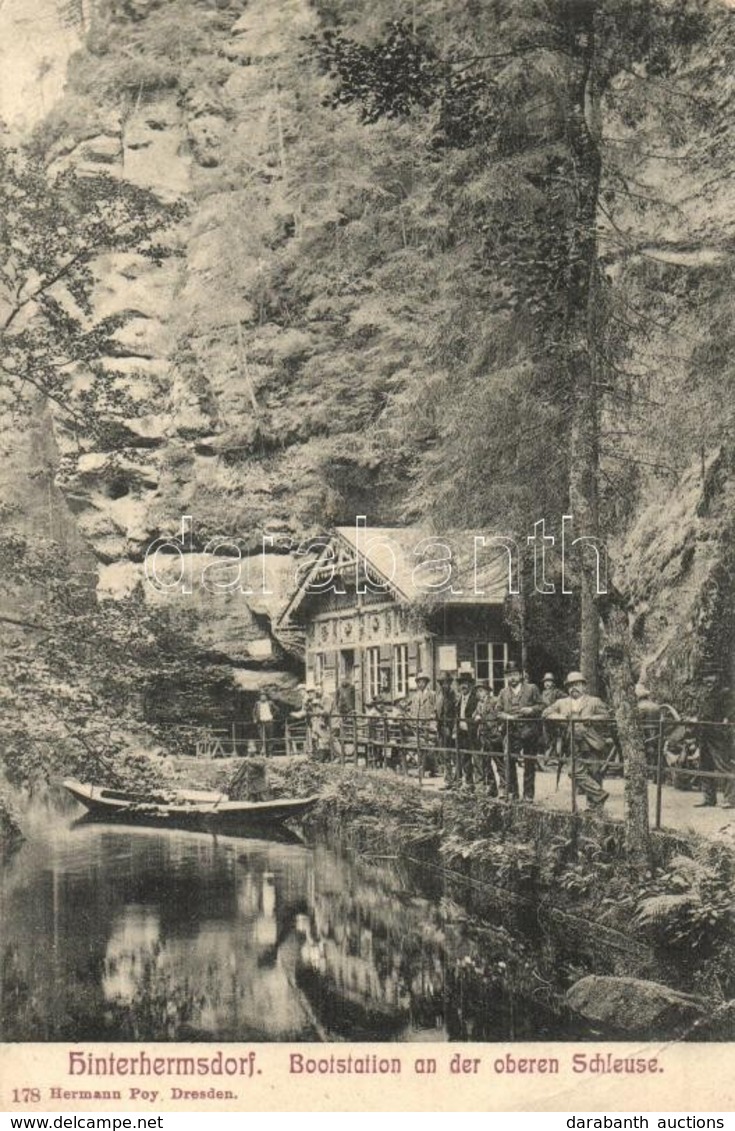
(486, 741)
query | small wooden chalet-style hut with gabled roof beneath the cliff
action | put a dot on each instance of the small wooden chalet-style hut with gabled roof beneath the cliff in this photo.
(378, 605)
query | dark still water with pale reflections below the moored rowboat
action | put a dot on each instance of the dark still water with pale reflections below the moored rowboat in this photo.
(117, 934)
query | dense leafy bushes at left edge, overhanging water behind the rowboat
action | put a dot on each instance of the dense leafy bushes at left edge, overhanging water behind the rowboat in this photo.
(79, 675)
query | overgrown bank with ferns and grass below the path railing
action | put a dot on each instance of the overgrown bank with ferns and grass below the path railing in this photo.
(563, 879)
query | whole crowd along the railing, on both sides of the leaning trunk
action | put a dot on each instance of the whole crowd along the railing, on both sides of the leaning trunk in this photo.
(498, 741)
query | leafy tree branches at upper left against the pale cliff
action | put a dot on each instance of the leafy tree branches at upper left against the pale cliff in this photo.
(54, 230)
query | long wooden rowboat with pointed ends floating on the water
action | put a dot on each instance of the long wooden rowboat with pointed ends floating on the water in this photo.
(194, 809)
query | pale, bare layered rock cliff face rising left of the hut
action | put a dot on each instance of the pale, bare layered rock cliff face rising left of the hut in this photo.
(195, 443)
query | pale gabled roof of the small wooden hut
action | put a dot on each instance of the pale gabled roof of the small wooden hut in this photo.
(413, 564)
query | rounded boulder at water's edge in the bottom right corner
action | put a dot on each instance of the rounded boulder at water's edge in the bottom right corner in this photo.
(634, 1007)
